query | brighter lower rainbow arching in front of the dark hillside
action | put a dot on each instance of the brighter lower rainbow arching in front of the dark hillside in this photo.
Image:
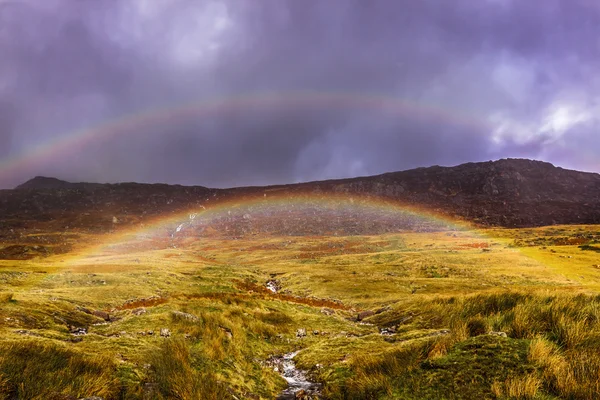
(167, 229)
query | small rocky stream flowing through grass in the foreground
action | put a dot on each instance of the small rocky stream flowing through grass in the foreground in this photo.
(299, 386)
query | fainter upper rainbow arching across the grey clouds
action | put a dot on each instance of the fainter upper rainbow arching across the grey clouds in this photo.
(64, 145)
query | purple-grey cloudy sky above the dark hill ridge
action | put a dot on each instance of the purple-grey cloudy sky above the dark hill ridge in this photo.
(353, 87)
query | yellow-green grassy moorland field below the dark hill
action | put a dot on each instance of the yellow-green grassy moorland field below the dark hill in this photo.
(488, 314)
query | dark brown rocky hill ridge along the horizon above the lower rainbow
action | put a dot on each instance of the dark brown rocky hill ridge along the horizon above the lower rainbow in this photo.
(508, 193)
